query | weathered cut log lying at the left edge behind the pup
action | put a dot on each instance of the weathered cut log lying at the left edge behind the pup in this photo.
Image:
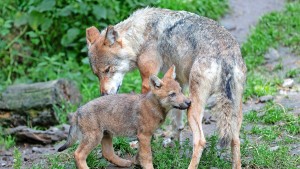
(33, 104)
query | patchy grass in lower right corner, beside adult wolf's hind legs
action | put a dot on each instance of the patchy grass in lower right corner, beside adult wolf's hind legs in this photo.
(273, 126)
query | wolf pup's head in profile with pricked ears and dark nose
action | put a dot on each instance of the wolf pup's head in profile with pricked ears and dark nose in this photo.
(168, 91)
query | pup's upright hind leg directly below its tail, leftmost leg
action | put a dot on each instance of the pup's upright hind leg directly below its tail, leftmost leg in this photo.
(87, 144)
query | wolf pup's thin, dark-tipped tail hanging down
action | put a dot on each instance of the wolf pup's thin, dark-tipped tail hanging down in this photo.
(72, 137)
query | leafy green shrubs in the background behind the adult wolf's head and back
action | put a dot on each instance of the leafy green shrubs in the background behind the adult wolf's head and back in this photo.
(45, 39)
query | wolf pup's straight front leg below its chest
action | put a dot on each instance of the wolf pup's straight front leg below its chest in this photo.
(145, 154)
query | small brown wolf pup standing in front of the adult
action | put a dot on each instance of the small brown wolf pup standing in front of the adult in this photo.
(125, 115)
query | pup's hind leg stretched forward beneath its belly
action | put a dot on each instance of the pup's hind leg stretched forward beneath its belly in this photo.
(109, 154)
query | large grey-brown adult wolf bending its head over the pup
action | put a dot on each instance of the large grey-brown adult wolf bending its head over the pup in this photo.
(207, 58)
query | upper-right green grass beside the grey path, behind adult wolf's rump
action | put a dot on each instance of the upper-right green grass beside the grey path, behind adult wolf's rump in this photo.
(273, 29)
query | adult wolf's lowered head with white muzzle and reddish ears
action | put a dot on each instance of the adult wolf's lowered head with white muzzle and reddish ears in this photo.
(109, 57)
